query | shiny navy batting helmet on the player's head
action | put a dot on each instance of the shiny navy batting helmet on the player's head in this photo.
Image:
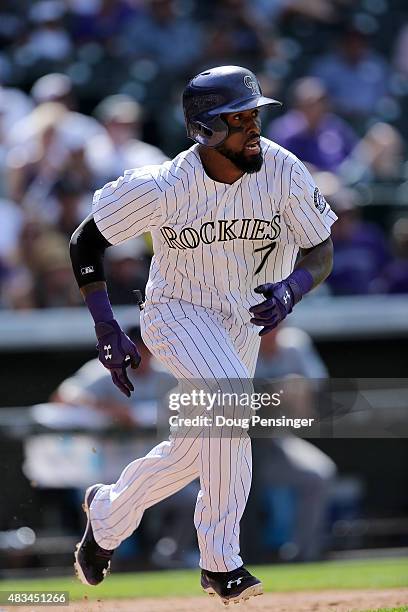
(225, 89)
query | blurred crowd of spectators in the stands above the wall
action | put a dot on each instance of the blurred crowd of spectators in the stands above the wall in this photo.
(92, 87)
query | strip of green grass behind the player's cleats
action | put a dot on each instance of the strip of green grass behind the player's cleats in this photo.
(371, 574)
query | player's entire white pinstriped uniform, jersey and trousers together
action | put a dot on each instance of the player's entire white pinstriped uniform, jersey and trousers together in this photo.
(213, 244)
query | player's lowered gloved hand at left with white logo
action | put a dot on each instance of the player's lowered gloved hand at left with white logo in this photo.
(116, 353)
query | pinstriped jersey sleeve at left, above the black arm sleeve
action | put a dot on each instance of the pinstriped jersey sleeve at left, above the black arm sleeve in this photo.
(128, 207)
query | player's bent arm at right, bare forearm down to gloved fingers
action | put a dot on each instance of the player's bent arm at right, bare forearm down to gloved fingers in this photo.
(312, 268)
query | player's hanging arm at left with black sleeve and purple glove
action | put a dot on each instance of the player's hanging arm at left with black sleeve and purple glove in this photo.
(116, 350)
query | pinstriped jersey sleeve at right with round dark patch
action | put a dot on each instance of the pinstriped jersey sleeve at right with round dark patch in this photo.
(307, 214)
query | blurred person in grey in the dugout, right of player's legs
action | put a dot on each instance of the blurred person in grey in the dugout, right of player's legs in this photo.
(287, 462)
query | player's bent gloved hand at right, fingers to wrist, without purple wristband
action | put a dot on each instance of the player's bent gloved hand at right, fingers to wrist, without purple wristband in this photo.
(278, 304)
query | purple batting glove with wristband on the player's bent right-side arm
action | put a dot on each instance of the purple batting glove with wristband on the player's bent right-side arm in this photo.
(280, 299)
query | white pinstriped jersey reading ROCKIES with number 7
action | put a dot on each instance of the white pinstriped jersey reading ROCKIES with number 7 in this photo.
(214, 242)
